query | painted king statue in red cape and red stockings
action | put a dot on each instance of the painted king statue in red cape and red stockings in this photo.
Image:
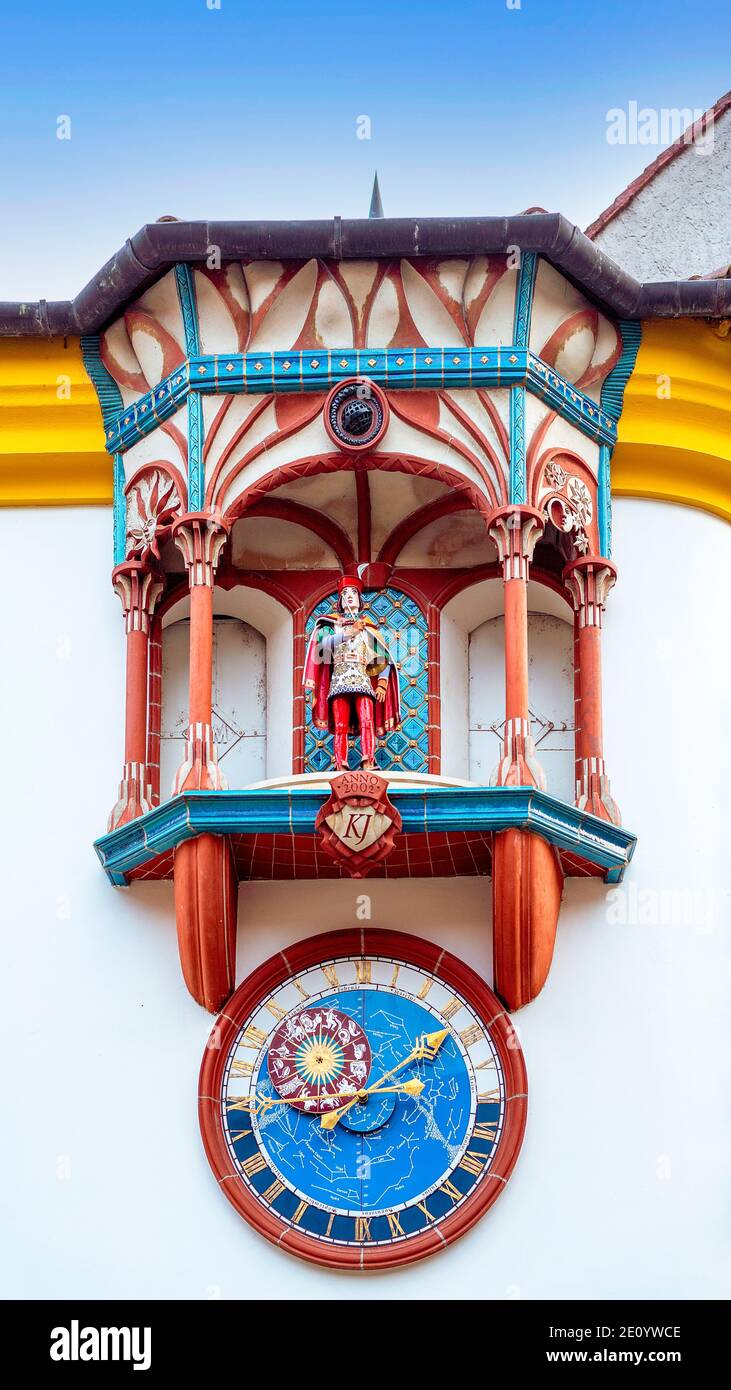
(351, 676)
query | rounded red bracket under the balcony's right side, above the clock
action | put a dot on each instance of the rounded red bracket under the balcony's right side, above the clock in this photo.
(527, 885)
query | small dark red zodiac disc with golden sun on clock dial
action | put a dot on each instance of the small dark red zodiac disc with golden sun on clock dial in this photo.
(316, 1056)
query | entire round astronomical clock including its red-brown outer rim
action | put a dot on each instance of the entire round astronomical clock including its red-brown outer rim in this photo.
(363, 1099)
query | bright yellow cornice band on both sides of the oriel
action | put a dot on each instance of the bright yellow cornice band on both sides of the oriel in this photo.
(677, 450)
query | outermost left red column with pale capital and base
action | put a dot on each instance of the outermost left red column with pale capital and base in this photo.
(140, 589)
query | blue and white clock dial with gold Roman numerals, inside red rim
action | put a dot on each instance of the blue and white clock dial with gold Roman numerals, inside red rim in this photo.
(363, 1102)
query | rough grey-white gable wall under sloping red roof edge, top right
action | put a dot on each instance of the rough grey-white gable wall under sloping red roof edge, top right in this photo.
(679, 224)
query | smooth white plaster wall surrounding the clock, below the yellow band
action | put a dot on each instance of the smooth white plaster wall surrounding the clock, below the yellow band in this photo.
(622, 1186)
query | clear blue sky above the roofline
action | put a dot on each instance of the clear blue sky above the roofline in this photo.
(251, 112)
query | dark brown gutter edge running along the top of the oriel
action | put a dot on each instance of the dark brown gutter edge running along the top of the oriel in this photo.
(159, 247)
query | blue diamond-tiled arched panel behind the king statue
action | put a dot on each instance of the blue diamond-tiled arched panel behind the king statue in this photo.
(405, 630)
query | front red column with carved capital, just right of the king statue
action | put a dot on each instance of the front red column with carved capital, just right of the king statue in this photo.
(516, 532)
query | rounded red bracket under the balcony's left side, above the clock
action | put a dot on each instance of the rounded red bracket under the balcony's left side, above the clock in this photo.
(206, 907)
